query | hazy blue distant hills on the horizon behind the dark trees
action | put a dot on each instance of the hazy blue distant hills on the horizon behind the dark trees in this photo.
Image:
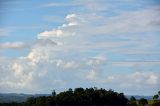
(15, 97)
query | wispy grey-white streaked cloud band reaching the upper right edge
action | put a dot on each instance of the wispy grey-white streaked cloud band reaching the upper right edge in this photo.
(125, 22)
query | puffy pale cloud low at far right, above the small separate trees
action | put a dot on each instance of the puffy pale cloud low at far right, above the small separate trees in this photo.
(139, 80)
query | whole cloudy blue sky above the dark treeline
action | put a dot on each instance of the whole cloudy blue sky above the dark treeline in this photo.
(62, 44)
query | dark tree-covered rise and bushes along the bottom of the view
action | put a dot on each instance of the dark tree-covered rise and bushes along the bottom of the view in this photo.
(85, 97)
